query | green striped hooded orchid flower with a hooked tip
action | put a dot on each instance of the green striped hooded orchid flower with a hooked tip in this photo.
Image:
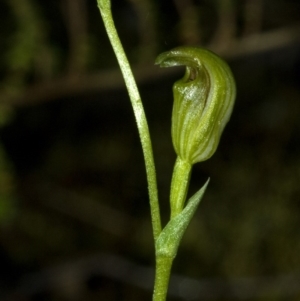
(203, 101)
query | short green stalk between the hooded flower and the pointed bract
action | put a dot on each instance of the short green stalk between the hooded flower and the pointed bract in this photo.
(179, 185)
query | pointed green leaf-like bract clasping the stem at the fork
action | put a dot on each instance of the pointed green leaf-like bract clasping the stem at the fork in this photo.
(169, 239)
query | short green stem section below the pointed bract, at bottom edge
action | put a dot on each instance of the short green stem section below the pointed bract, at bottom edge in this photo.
(162, 277)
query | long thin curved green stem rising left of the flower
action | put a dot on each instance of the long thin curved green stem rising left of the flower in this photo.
(105, 10)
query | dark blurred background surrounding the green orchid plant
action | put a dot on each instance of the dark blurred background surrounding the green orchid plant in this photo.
(74, 213)
